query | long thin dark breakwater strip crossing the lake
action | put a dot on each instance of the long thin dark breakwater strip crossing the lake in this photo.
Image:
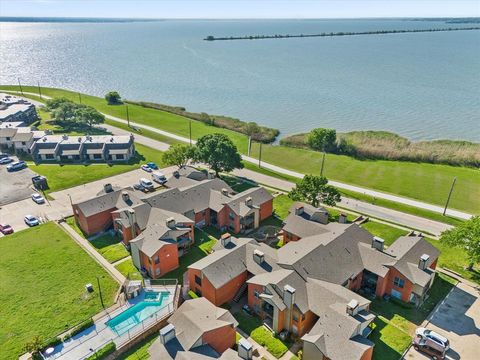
(340, 33)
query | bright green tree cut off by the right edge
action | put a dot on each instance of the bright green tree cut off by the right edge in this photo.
(467, 237)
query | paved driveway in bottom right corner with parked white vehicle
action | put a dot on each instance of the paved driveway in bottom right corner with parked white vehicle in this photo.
(458, 319)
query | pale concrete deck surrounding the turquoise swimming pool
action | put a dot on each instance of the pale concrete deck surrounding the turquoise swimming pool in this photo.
(88, 341)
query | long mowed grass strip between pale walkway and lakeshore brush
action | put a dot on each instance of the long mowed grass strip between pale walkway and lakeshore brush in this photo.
(425, 182)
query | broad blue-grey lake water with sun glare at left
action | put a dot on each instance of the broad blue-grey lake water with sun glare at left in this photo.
(420, 85)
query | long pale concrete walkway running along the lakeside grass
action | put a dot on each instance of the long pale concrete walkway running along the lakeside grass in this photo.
(374, 193)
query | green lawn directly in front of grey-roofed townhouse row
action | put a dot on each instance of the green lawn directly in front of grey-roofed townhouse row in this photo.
(65, 176)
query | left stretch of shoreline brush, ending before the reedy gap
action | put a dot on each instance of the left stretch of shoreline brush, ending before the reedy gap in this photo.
(259, 133)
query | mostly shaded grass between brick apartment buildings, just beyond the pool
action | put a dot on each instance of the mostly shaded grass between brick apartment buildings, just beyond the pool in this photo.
(202, 247)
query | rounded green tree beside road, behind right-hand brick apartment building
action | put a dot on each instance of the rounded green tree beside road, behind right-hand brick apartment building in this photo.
(315, 190)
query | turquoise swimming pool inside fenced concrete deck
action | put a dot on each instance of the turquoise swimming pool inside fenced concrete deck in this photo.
(153, 302)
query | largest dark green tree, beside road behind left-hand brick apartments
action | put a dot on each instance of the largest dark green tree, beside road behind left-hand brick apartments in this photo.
(219, 152)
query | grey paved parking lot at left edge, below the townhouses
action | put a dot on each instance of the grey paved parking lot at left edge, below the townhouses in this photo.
(16, 185)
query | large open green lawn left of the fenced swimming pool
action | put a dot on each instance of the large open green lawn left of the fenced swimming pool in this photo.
(43, 273)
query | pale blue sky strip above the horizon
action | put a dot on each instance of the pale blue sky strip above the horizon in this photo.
(240, 8)
